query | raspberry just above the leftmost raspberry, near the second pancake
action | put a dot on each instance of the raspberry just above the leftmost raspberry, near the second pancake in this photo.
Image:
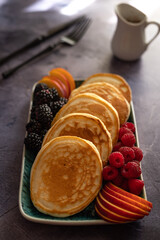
(116, 159)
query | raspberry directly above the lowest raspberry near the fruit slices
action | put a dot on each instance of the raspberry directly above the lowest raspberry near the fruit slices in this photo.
(131, 170)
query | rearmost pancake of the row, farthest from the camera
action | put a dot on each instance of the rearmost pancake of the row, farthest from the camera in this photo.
(114, 79)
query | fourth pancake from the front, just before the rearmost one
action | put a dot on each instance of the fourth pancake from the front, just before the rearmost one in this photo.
(110, 93)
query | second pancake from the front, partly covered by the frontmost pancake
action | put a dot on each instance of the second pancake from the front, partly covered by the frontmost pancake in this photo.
(85, 126)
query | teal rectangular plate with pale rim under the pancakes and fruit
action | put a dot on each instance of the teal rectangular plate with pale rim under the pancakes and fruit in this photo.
(86, 217)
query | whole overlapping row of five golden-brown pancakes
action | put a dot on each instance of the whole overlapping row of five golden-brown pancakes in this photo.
(67, 173)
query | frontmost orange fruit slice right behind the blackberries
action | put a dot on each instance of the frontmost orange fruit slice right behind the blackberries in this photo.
(52, 84)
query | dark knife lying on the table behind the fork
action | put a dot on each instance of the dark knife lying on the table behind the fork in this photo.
(40, 39)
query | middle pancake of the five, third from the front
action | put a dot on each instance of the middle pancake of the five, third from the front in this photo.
(96, 106)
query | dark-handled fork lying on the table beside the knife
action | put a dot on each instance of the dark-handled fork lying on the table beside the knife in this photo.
(71, 39)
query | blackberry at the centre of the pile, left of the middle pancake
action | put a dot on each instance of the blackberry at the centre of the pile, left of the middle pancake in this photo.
(44, 115)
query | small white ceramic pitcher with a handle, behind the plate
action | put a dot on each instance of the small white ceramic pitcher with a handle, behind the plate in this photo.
(128, 42)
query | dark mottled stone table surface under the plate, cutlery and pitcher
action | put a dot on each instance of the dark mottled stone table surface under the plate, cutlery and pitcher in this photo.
(91, 55)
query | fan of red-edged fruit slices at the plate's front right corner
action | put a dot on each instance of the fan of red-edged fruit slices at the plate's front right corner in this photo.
(115, 207)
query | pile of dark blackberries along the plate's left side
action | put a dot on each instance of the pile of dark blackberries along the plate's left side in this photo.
(46, 103)
